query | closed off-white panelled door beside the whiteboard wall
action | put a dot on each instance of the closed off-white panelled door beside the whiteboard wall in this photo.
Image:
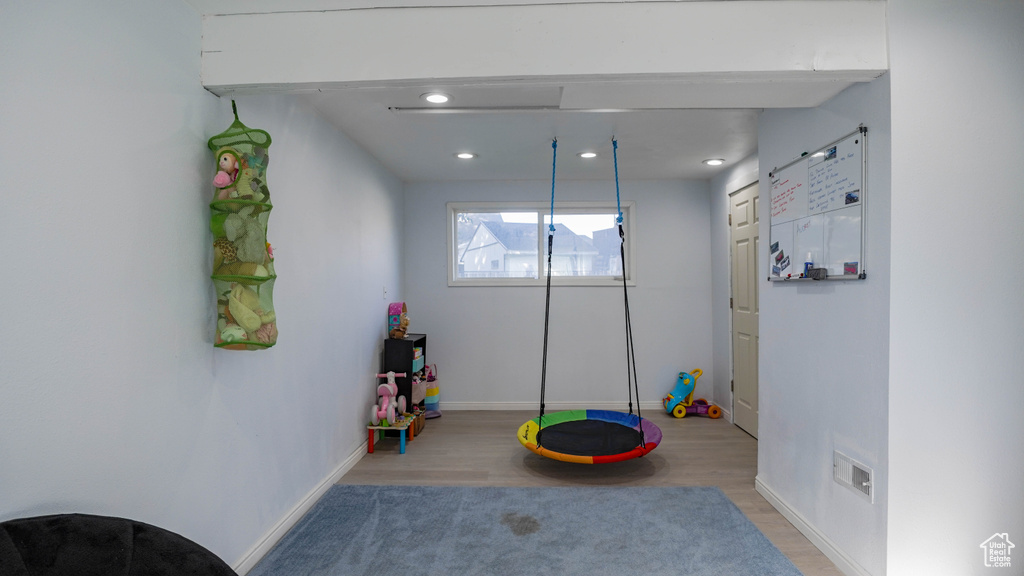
(744, 248)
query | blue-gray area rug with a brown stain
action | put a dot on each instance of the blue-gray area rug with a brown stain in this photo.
(404, 531)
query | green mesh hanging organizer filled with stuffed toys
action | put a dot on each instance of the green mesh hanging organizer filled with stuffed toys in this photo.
(243, 260)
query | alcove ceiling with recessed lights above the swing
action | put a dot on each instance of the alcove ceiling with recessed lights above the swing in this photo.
(511, 129)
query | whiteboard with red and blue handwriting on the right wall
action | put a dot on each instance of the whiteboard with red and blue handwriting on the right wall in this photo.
(818, 213)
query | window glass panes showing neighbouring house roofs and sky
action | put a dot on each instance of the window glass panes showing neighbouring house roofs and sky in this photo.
(514, 244)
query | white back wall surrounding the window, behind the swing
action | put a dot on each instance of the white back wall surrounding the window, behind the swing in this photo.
(488, 342)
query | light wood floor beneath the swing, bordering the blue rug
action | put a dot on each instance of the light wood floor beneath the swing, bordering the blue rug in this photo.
(480, 448)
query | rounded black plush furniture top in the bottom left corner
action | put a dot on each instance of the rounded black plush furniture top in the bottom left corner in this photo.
(87, 546)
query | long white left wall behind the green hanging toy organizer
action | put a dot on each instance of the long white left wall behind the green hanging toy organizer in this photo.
(114, 399)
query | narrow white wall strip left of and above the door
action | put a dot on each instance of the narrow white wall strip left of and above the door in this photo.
(737, 177)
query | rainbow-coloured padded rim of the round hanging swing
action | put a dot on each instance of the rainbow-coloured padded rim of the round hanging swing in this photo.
(652, 435)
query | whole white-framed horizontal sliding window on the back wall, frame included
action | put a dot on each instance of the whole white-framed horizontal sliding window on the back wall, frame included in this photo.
(506, 244)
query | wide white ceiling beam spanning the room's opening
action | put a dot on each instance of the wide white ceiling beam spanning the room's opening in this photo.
(757, 43)
